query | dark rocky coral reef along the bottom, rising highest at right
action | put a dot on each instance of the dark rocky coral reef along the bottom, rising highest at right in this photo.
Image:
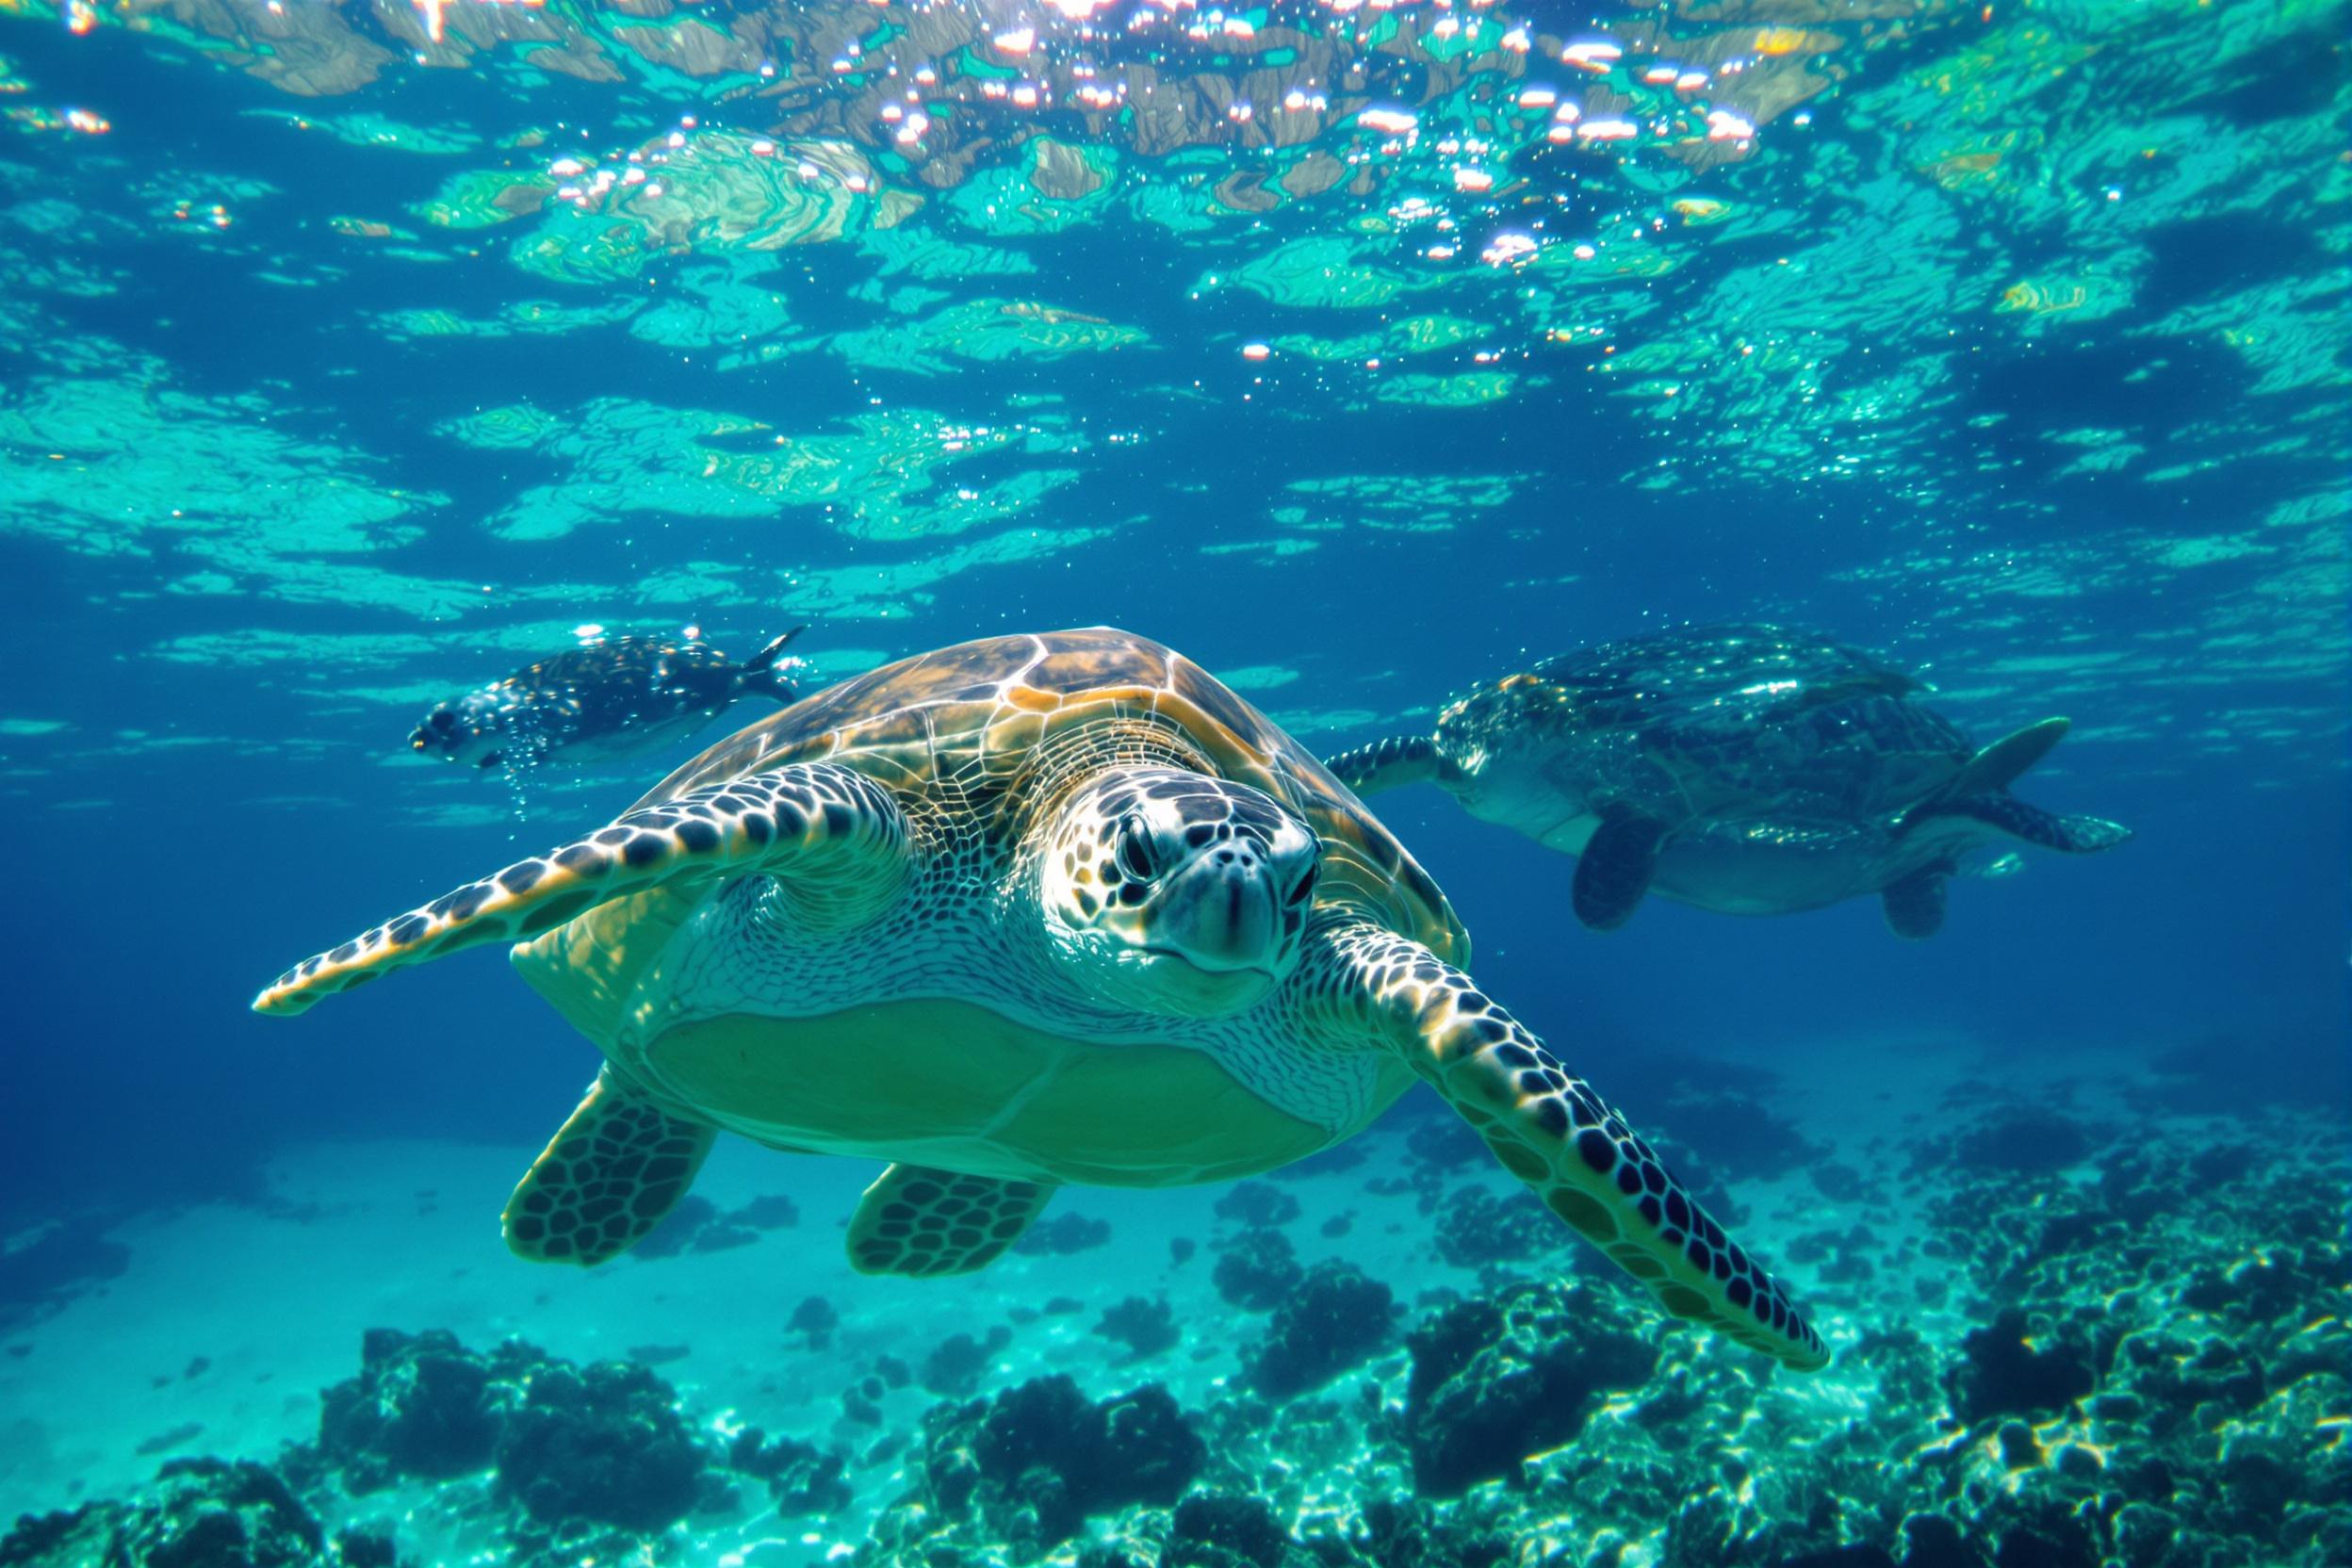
(2132, 1367)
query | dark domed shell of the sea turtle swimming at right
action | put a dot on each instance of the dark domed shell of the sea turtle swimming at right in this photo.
(1720, 721)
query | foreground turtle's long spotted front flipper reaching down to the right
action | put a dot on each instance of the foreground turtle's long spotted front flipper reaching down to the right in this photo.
(1553, 1132)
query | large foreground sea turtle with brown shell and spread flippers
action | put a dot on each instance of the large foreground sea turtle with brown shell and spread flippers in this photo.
(1020, 913)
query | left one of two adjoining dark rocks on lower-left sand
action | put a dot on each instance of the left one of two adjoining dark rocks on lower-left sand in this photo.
(422, 1407)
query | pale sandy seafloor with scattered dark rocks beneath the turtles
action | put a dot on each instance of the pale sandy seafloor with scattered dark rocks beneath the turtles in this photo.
(2172, 1386)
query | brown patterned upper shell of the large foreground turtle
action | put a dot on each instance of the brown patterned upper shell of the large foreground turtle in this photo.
(984, 730)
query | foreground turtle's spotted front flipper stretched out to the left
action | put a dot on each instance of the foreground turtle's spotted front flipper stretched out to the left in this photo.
(831, 836)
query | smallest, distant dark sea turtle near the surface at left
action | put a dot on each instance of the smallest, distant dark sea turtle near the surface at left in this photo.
(603, 702)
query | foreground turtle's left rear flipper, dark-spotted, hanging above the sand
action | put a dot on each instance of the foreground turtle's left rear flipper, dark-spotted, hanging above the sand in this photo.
(606, 1181)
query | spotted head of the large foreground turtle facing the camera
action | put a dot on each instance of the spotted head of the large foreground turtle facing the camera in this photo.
(1175, 892)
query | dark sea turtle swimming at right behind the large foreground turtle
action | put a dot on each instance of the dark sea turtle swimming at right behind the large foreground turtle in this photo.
(1749, 770)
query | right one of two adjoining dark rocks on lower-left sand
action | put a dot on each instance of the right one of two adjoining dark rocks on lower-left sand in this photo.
(601, 1442)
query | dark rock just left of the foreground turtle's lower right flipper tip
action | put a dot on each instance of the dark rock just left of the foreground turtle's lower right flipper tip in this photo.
(1504, 1376)
